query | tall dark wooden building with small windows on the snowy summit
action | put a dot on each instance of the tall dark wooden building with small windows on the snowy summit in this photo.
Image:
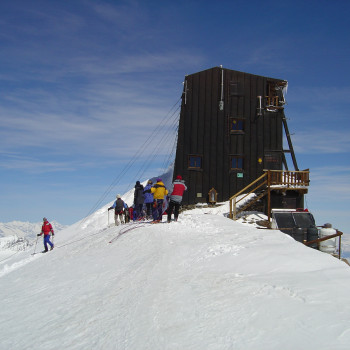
(230, 130)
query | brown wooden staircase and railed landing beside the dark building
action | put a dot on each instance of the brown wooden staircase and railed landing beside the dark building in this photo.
(262, 186)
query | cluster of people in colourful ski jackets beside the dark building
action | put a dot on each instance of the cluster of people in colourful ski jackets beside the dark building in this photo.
(150, 202)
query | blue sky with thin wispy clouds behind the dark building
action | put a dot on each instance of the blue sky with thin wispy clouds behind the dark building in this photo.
(85, 83)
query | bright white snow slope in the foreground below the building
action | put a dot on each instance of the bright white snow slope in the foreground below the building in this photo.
(204, 282)
